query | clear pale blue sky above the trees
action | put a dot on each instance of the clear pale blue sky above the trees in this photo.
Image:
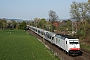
(30, 9)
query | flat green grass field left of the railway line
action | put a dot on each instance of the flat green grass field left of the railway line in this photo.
(19, 45)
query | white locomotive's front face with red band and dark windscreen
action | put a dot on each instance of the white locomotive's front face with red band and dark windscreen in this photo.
(74, 47)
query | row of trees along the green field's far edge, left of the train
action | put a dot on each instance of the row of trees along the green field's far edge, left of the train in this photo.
(11, 24)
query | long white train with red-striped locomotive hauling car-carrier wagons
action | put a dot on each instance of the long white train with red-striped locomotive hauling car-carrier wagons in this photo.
(69, 44)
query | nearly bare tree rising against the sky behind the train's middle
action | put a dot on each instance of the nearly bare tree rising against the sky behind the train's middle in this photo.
(52, 17)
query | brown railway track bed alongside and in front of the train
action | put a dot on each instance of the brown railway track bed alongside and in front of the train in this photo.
(59, 52)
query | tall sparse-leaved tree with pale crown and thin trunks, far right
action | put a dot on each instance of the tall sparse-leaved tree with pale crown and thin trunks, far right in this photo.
(80, 12)
